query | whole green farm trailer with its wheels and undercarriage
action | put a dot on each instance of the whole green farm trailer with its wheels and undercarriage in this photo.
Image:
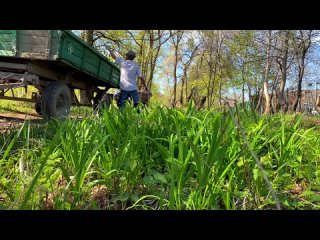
(55, 62)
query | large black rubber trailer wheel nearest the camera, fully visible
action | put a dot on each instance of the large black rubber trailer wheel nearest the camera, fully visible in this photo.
(56, 100)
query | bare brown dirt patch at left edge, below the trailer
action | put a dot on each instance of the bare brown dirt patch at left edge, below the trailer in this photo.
(11, 120)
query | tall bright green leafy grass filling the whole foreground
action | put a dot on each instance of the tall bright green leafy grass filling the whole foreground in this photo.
(161, 159)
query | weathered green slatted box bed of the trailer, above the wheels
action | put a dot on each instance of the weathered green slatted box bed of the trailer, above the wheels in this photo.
(57, 50)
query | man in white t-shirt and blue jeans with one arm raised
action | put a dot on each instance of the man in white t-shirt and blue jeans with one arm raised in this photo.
(128, 83)
